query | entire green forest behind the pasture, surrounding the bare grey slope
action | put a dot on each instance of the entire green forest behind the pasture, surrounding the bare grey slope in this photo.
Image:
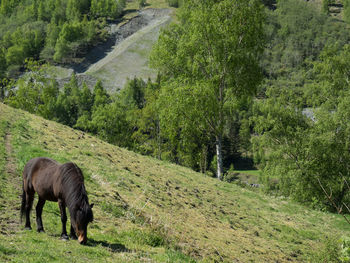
(262, 85)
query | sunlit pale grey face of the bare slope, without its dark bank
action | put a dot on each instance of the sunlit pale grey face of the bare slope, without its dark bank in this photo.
(129, 57)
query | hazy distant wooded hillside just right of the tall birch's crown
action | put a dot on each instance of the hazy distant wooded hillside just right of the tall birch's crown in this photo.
(297, 33)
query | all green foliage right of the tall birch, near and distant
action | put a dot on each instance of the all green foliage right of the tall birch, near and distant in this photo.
(302, 120)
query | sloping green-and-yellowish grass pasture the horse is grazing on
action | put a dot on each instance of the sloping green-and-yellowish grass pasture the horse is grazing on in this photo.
(149, 210)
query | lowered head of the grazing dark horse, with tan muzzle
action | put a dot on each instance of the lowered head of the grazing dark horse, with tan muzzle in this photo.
(83, 216)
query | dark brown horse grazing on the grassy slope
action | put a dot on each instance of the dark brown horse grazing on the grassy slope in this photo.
(62, 183)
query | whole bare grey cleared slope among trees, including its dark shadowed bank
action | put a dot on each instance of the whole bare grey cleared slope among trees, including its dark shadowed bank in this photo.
(126, 52)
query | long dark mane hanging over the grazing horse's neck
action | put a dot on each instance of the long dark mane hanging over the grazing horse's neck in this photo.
(75, 194)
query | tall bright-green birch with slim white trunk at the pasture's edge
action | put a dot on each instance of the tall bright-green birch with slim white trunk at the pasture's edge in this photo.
(213, 57)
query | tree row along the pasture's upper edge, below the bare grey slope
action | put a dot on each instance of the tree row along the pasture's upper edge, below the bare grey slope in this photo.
(136, 118)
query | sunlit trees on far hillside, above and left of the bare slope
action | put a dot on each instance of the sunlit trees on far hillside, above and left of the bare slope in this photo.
(57, 30)
